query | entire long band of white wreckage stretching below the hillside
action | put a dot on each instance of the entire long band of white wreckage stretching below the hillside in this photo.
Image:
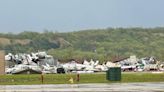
(40, 62)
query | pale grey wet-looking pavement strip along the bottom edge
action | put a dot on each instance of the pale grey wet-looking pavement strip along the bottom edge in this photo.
(121, 87)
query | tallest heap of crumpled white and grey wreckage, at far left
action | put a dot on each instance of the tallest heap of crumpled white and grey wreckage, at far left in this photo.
(30, 63)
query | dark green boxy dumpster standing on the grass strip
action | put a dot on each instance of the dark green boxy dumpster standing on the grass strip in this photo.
(113, 74)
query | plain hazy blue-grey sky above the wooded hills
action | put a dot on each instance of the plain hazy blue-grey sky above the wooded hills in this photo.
(73, 15)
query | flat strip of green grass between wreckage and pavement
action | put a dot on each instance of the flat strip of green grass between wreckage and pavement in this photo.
(84, 78)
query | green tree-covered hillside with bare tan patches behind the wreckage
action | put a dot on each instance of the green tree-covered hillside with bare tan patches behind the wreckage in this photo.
(102, 44)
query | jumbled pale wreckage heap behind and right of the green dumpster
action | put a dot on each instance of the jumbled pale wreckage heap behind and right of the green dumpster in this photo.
(132, 63)
